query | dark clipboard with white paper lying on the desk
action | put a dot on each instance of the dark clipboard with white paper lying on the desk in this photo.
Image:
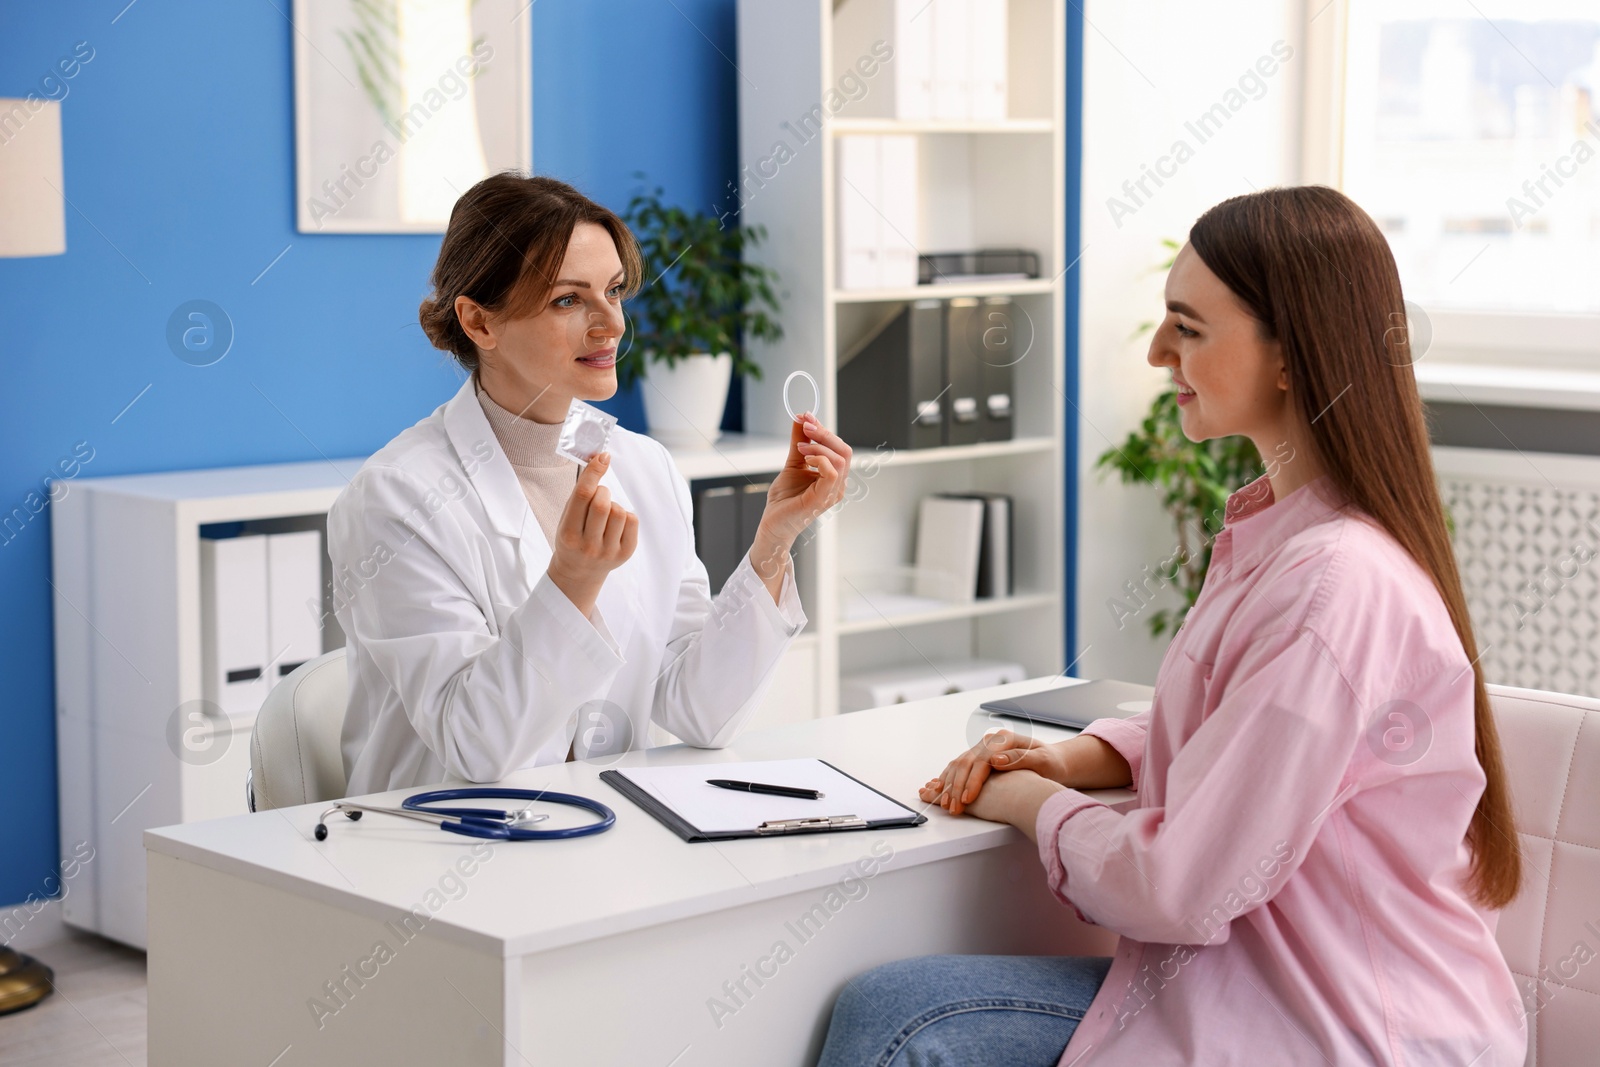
(681, 801)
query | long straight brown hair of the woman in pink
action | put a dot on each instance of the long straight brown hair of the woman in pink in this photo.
(1318, 274)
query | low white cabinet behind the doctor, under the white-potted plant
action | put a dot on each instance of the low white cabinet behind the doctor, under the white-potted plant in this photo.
(127, 633)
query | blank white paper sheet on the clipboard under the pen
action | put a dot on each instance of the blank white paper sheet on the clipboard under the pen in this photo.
(714, 810)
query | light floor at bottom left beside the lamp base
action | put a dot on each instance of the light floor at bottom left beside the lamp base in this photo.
(97, 1015)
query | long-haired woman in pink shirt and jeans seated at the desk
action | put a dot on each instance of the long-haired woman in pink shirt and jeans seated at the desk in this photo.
(1322, 837)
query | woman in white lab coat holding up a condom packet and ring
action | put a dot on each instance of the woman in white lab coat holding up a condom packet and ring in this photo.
(478, 645)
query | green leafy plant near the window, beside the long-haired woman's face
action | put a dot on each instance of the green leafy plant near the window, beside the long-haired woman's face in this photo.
(1196, 481)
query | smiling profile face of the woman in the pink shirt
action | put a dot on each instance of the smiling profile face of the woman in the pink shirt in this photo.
(1214, 346)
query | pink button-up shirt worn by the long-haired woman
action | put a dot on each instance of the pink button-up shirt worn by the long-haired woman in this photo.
(1289, 889)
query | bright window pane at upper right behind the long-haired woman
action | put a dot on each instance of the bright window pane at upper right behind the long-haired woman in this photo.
(1471, 132)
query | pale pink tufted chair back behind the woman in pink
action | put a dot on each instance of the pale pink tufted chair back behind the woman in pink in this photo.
(1553, 761)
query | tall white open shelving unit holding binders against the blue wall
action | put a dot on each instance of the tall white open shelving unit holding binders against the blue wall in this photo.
(988, 183)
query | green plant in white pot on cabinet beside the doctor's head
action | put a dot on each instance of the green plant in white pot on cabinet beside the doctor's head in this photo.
(698, 308)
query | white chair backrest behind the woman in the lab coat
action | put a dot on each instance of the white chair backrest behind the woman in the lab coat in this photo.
(295, 748)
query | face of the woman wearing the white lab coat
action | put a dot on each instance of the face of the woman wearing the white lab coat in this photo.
(569, 346)
